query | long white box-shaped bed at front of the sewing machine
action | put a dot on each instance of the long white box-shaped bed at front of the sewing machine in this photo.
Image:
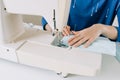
(59, 59)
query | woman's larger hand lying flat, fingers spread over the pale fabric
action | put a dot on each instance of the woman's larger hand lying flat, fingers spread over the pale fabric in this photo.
(86, 36)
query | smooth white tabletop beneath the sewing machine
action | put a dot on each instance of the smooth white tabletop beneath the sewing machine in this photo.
(13, 71)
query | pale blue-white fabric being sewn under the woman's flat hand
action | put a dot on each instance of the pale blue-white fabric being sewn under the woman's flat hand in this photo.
(101, 45)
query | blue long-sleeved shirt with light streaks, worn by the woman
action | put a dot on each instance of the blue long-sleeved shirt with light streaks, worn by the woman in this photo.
(85, 13)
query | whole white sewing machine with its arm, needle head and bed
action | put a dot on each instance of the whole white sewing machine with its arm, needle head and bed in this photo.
(33, 47)
